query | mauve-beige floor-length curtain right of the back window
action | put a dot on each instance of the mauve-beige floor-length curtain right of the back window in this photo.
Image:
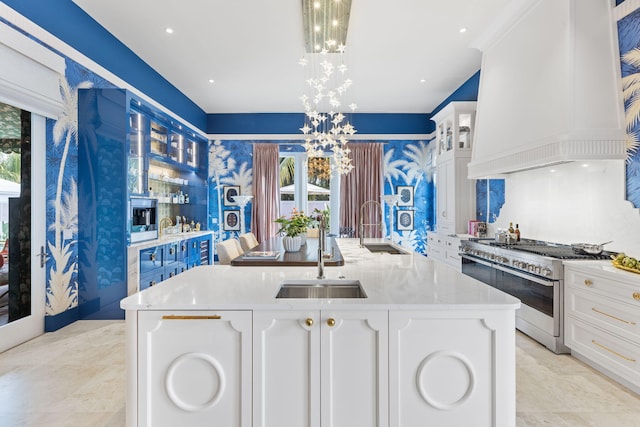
(363, 183)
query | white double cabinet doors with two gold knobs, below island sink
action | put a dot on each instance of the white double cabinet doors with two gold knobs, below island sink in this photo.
(320, 368)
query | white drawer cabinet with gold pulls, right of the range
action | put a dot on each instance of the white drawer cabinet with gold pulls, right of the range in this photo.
(602, 319)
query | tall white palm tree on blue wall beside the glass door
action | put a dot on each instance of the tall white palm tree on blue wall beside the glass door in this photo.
(61, 295)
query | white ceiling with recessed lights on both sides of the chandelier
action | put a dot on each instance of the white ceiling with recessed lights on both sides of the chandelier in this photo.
(251, 49)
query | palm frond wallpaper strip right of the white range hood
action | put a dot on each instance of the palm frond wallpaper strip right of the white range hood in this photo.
(631, 92)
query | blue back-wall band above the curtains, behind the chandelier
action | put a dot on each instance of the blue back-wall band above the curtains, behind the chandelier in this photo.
(290, 123)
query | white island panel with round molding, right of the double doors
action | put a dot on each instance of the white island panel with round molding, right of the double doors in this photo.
(449, 369)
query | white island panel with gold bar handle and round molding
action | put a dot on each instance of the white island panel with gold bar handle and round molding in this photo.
(195, 367)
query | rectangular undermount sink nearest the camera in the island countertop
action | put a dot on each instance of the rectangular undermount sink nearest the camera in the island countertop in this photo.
(321, 288)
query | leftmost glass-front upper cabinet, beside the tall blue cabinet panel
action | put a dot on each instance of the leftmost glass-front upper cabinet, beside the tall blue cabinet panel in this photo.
(136, 172)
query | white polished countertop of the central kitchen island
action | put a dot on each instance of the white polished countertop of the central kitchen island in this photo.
(390, 281)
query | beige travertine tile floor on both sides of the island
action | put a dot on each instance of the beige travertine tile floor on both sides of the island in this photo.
(76, 377)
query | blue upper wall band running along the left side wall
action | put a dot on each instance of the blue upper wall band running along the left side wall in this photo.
(65, 20)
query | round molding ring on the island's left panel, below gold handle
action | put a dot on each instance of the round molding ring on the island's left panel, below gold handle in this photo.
(184, 362)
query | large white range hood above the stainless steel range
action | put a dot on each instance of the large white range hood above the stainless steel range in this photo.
(549, 88)
